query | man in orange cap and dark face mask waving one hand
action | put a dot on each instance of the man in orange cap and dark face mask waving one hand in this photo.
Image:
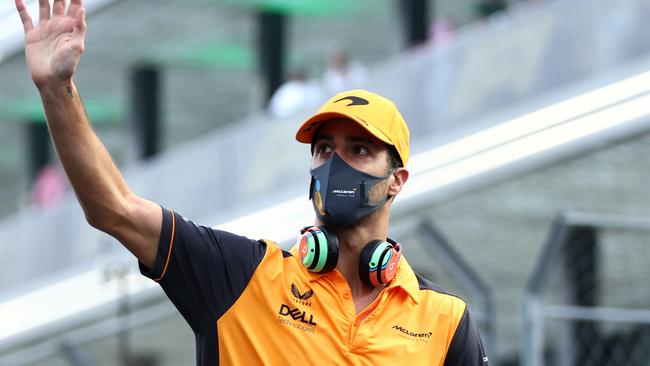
(344, 295)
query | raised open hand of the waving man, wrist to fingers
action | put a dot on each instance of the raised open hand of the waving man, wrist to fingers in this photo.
(54, 47)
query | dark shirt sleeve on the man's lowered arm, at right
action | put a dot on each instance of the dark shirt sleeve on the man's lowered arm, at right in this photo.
(466, 347)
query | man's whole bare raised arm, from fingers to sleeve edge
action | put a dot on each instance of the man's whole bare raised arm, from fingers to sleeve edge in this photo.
(53, 50)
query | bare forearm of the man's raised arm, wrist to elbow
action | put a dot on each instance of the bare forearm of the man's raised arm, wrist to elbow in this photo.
(99, 186)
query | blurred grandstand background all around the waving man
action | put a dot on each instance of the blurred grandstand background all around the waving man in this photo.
(530, 135)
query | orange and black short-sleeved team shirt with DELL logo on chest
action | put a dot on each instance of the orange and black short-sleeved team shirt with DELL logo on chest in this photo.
(251, 303)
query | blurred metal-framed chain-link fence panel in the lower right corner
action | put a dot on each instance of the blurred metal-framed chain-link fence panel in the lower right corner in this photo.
(588, 302)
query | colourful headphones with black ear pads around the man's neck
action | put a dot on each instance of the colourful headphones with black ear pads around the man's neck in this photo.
(319, 252)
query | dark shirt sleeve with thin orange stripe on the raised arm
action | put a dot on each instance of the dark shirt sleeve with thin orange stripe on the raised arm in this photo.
(202, 270)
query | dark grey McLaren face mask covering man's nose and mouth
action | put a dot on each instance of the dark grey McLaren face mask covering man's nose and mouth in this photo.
(340, 194)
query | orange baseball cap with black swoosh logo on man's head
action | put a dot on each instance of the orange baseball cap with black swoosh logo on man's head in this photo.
(373, 112)
